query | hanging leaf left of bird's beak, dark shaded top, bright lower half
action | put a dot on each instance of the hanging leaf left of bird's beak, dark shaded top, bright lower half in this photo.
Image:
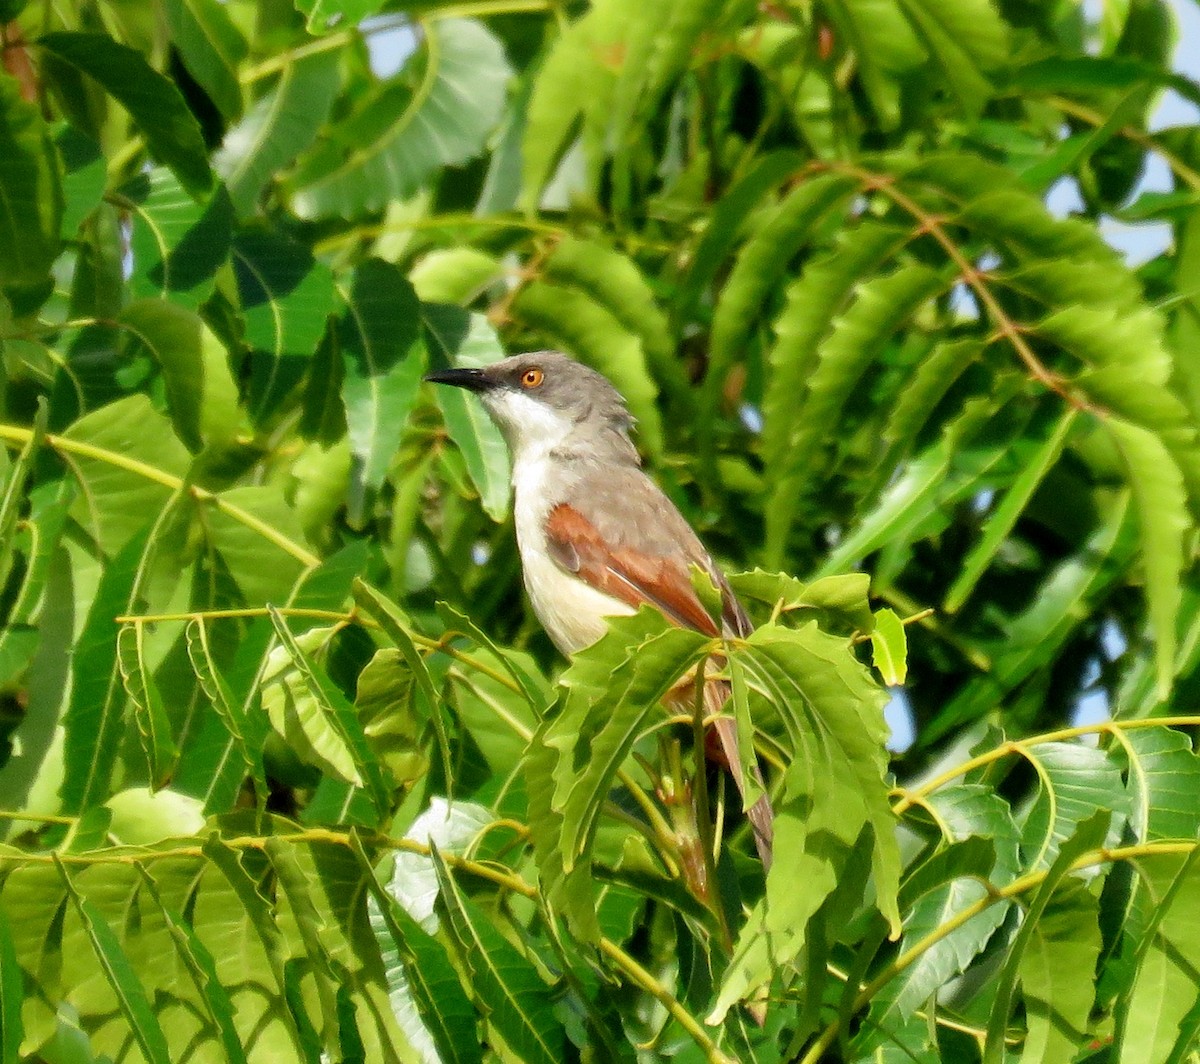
(380, 341)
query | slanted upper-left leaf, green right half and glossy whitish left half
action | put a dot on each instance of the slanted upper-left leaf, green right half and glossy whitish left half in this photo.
(278, 128)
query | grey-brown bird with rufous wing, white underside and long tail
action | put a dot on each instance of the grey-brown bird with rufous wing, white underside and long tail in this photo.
(597, 537)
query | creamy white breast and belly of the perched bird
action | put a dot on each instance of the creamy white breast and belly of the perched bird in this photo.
(572, 612)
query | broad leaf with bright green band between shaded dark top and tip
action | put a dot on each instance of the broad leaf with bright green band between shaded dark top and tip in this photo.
(286, 299)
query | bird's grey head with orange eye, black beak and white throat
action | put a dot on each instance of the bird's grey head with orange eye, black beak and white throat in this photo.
(547, 401)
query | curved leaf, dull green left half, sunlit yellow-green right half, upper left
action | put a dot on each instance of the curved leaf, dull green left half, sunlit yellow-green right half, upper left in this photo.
(201, 390)
